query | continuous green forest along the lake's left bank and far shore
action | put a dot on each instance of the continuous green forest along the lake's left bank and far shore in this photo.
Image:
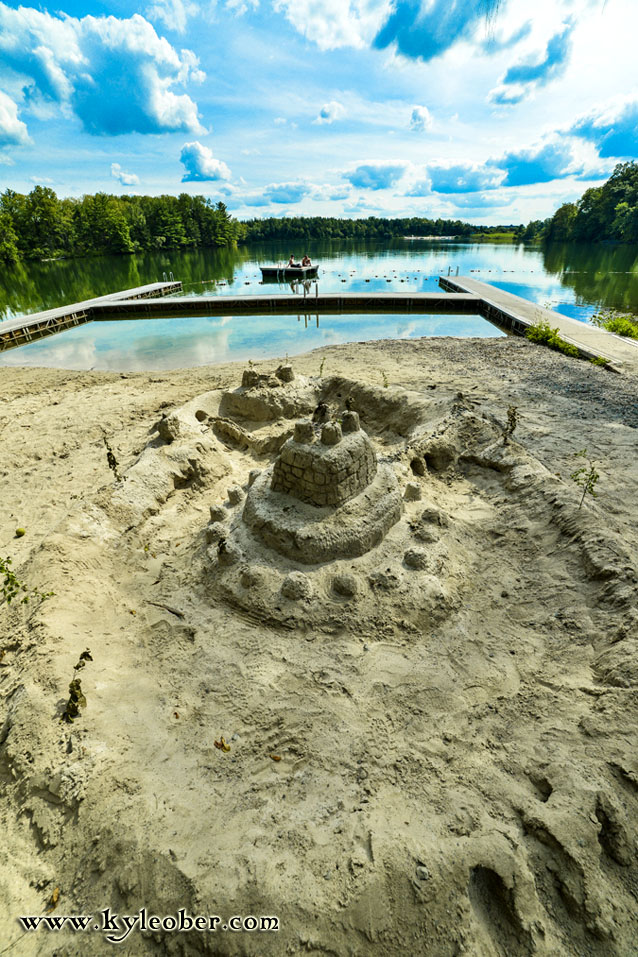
(40, 226)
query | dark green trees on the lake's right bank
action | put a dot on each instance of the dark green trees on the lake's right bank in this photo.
(607, 212)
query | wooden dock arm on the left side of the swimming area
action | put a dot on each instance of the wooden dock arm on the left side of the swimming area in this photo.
(17, 332)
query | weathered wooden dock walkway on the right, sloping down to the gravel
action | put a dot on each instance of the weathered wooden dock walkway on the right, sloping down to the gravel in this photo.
(516, 315)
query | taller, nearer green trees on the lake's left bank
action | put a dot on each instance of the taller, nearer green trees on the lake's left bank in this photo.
(41, 226)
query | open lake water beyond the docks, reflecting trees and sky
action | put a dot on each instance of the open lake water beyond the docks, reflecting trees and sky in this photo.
(574, 275)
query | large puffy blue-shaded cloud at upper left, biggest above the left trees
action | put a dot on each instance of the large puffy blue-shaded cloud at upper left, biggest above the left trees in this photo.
(116, 75)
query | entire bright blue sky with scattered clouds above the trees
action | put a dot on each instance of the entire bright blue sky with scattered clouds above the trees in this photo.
(490, 111)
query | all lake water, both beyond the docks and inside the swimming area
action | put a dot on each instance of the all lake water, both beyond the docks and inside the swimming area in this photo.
(576, 280)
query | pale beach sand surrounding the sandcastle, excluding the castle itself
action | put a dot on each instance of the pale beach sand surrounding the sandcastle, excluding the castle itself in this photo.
(457, 766)
